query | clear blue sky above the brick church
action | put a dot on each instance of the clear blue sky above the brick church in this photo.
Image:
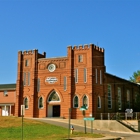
(52, 25)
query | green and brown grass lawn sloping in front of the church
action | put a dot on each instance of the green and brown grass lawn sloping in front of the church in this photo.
(11, 129)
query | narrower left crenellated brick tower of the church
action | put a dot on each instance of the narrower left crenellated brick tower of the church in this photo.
(26, 85)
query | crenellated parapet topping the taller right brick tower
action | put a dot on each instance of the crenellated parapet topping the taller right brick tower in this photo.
(86, 47)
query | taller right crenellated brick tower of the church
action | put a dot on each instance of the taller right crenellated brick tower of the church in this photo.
(87, 64)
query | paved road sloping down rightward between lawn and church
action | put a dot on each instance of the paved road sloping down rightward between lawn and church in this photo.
(126, 136)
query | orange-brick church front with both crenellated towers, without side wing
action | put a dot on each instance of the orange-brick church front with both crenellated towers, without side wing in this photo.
(51, 87)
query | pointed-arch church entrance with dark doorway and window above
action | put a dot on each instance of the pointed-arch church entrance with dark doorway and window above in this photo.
(53, 105)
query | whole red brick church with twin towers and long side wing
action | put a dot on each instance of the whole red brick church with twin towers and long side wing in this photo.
(49, 87)
